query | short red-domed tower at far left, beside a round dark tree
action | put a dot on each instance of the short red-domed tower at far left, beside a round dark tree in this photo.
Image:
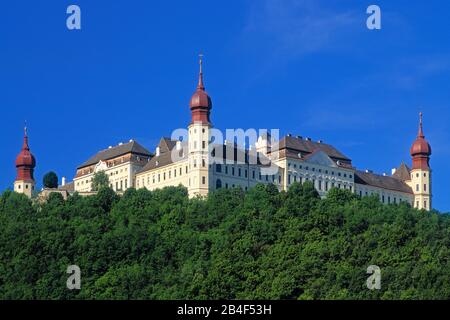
(25, 164)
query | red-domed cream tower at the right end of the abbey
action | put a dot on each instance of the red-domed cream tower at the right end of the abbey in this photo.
(421, 171)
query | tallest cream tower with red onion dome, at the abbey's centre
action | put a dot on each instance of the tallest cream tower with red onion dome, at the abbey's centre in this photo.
(198, 138)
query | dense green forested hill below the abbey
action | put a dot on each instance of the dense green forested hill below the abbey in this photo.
(262, 244)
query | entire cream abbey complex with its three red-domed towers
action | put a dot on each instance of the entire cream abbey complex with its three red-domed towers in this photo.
(202, 164)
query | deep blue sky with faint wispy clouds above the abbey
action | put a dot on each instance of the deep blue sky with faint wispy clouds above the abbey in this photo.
(307, 67)
